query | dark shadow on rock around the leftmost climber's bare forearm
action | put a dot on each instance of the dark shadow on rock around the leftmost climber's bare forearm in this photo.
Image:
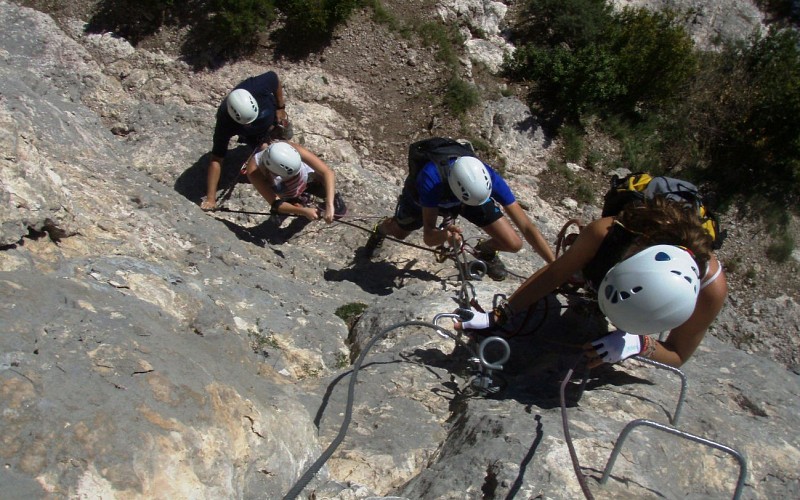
(192, 182)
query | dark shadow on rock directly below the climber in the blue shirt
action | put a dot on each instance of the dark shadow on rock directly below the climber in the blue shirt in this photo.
(379, 278)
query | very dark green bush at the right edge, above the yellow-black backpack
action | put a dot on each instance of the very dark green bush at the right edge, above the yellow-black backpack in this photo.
(755, 155)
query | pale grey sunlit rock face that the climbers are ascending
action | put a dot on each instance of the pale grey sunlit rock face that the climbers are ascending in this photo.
(150, 350)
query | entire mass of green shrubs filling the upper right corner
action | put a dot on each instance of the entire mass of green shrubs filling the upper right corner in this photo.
(728, 118)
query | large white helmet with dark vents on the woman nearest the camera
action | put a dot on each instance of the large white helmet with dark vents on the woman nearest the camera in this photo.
(653, 291)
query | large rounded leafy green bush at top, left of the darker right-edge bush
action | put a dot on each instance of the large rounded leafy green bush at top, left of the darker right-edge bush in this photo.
(603, 62)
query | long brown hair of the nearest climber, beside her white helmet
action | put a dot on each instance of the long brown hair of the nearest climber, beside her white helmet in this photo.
(663, 222)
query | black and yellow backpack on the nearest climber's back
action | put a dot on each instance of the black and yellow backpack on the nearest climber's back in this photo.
(640, 186)
